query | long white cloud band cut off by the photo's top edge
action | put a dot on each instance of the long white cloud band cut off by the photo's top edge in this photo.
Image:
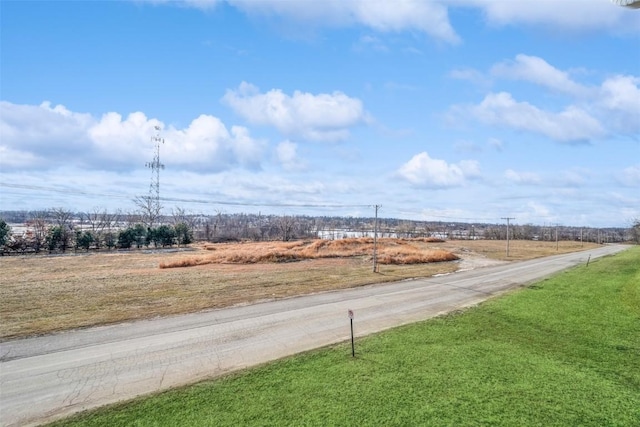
(430, 17)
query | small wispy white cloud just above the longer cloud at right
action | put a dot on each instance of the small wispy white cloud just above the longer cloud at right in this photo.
(538, 71)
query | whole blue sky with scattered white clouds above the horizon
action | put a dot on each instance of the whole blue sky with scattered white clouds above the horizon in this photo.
(461, 110)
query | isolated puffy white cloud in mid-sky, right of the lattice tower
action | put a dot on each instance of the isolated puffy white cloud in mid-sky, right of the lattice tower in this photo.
(322, 117)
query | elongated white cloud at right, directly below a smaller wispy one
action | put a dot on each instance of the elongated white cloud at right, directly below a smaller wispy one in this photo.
(570, 125)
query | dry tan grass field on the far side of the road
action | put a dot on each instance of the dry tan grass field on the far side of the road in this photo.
(44, 294)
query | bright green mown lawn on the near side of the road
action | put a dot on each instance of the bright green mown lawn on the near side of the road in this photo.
(565, 351)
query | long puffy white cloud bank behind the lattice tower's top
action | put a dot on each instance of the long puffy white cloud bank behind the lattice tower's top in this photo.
(46, 136)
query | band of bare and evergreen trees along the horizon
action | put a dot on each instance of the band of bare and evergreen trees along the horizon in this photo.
(60, 230)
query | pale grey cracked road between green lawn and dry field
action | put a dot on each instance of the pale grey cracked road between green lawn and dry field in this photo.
(48, 377)
